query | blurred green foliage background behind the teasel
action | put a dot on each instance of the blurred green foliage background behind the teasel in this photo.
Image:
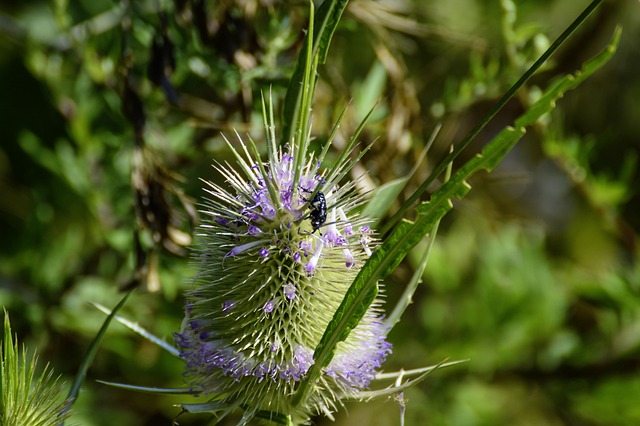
(111, 111)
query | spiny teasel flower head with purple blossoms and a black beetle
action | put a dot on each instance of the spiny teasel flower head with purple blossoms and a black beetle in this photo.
(277, 250)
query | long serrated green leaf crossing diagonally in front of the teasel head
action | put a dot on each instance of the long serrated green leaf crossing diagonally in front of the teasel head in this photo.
(406, 234)
